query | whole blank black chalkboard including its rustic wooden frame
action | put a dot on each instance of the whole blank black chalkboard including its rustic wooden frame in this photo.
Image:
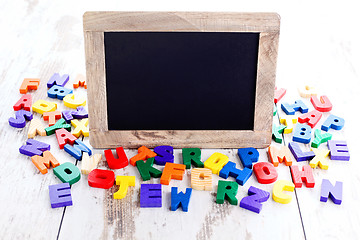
(185, 79)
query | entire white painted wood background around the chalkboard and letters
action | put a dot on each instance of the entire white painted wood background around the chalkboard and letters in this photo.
(319, 44)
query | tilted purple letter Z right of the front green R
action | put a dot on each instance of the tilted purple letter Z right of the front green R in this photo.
(254, 200)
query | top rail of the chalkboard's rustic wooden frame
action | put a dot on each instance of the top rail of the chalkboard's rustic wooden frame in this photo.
(181, 21)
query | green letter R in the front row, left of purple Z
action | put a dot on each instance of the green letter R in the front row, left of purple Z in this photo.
(227, 190)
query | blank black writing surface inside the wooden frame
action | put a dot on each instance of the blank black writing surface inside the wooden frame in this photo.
(181, 80)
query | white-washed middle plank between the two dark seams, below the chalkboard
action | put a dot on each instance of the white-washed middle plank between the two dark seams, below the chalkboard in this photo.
(124, 219)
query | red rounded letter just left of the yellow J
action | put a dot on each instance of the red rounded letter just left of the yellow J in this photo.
(99, 178)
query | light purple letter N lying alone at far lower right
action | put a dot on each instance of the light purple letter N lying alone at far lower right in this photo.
(335, 192)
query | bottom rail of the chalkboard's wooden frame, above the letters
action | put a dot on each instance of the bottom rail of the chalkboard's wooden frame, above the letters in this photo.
(178, 139)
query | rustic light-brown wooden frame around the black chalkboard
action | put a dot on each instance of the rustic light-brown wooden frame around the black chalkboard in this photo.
(96, 23)
